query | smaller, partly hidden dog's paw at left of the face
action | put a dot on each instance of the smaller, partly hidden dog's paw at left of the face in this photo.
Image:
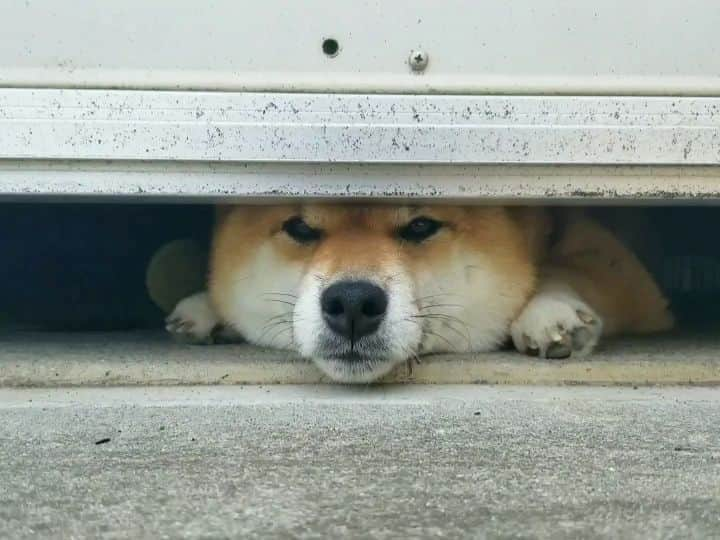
(193, 320)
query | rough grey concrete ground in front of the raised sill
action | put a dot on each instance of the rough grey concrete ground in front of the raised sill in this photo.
(369, 462)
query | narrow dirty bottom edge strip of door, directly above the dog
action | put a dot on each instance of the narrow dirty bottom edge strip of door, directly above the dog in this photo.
(267, 182)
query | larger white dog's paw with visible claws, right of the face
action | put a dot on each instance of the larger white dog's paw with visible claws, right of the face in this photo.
(556, 325)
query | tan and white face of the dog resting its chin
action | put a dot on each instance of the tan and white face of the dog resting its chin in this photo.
(360, 289)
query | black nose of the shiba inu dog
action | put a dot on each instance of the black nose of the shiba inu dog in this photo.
(353, 309)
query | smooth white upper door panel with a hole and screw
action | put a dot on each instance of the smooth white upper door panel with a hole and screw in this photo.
(518, 46)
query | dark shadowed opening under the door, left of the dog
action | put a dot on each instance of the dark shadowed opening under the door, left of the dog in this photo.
(82, 266)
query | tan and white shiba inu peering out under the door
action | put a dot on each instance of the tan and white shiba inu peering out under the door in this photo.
(359, 289)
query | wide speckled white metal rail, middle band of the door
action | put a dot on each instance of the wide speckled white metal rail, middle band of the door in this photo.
(321, 128)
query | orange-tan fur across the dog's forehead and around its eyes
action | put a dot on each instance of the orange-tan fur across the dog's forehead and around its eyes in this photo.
(363, 237)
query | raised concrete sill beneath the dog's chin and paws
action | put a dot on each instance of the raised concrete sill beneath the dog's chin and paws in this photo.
(151, 358)
